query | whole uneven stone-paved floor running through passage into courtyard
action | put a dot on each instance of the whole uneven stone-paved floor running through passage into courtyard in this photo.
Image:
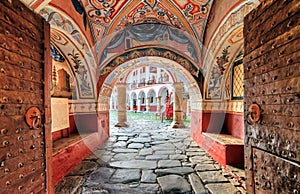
(148, 157)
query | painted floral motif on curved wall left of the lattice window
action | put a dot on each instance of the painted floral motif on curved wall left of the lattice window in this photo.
(216, 78)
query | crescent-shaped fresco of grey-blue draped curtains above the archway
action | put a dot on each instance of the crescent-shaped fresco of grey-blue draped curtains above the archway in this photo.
(149, 34)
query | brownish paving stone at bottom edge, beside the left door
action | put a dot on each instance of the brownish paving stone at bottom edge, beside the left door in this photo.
(68, 185)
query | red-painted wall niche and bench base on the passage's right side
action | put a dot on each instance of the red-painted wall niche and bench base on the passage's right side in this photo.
(219, 122)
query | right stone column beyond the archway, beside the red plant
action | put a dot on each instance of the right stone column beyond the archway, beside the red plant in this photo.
(177, 108)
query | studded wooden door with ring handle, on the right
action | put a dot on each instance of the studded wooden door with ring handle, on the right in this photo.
(272, 81)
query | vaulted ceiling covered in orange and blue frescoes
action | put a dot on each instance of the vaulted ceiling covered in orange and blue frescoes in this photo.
(90, 35)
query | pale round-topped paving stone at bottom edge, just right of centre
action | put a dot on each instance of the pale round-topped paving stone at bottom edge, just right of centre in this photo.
(174, 184)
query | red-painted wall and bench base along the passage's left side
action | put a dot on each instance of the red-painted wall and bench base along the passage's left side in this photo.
(95, 124)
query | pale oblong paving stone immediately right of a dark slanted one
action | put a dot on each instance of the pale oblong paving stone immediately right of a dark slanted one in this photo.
(126, 176)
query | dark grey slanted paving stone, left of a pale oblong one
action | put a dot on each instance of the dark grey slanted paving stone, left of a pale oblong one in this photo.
(101, 175)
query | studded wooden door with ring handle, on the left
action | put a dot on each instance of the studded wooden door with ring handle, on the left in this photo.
(24, 59)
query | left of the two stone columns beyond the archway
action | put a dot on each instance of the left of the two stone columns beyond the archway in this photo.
(122, 117)
